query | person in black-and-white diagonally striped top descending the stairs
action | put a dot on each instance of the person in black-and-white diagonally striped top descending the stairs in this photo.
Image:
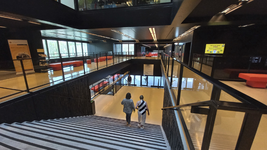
(142, 108)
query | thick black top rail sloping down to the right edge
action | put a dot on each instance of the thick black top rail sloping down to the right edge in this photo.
(233, 92)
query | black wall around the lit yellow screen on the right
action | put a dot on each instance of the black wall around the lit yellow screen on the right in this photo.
(249, 41)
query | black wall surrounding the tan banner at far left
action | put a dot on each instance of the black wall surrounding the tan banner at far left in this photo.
(34, 41)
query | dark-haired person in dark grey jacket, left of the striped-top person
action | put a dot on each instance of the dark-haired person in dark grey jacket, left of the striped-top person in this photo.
(128, 108)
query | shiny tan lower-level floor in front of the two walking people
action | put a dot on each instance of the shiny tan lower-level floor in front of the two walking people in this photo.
(110, 106)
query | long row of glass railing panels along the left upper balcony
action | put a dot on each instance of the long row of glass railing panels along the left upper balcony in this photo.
(50, 78)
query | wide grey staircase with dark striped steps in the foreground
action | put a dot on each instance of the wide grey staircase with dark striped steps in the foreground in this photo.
(85, 132)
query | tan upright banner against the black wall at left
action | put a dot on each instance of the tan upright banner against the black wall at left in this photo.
(20, 50)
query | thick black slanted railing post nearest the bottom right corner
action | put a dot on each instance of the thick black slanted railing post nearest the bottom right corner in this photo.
(248, 131)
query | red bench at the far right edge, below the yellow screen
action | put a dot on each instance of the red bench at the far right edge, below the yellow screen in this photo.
(254, 80)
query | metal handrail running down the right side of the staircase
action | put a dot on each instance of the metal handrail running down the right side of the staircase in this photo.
(184, 133)
